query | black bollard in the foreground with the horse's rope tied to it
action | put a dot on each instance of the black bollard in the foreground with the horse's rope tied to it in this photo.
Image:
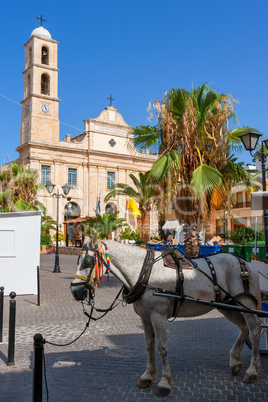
(38, 367)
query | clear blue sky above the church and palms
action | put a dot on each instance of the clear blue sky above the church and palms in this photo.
(137, 50)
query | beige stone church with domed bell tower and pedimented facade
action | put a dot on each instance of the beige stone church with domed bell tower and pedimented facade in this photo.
(90, 162)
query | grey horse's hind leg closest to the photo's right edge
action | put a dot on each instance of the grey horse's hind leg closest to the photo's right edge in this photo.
(253, 371)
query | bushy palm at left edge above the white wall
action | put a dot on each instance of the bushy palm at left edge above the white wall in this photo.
(19, 187)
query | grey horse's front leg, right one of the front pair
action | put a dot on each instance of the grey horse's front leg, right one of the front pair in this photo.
(160, 328)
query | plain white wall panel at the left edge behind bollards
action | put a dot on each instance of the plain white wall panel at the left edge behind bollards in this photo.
(19, 251)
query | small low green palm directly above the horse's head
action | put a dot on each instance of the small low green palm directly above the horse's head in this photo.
(106, 223)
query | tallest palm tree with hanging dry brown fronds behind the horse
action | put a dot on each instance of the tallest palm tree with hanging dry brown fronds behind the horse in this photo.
(194, 141)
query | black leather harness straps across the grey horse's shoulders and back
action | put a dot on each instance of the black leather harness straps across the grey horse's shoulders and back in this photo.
(136, 293)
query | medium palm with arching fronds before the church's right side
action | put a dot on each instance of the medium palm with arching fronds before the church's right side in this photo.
(144, 193)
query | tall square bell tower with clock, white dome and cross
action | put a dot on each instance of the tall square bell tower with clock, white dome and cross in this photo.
(40, 104)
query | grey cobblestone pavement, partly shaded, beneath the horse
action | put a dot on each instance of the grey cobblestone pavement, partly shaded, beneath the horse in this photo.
(107, 361)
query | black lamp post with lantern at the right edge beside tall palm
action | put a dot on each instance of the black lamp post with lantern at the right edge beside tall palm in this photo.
(250, 141)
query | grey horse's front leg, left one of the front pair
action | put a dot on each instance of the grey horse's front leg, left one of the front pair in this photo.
(151, 369)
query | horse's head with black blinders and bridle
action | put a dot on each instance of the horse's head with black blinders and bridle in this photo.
(85, 277)
